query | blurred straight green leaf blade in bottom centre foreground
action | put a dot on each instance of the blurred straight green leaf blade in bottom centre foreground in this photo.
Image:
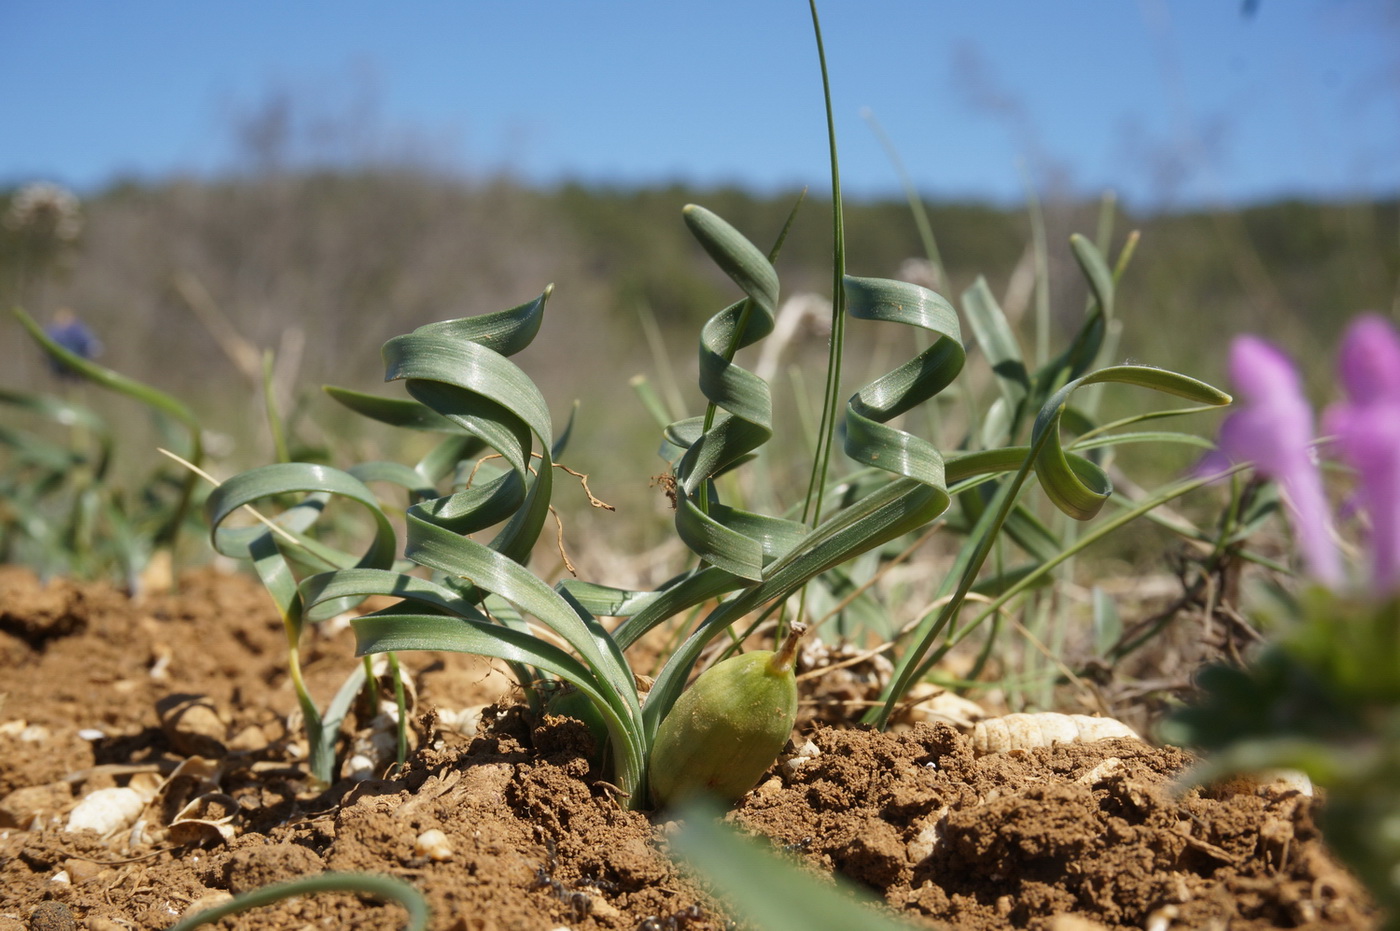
(769, 892)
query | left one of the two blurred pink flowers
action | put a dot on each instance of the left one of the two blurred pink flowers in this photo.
(1275, 430)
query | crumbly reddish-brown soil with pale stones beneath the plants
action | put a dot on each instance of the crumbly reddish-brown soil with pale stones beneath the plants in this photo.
(106, 692)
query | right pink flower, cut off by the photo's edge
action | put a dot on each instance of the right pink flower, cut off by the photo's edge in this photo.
(1367, 430)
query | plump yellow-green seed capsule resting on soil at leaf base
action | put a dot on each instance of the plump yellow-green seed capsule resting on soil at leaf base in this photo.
(729, 727)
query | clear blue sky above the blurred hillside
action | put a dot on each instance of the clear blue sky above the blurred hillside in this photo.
(1168, 103)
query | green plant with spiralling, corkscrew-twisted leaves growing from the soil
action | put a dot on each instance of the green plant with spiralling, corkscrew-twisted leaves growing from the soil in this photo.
(458, 593)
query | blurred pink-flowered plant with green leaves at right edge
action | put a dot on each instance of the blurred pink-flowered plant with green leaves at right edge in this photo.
(1324, 696)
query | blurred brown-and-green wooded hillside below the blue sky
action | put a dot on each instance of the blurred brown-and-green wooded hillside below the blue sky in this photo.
(327, 267)
